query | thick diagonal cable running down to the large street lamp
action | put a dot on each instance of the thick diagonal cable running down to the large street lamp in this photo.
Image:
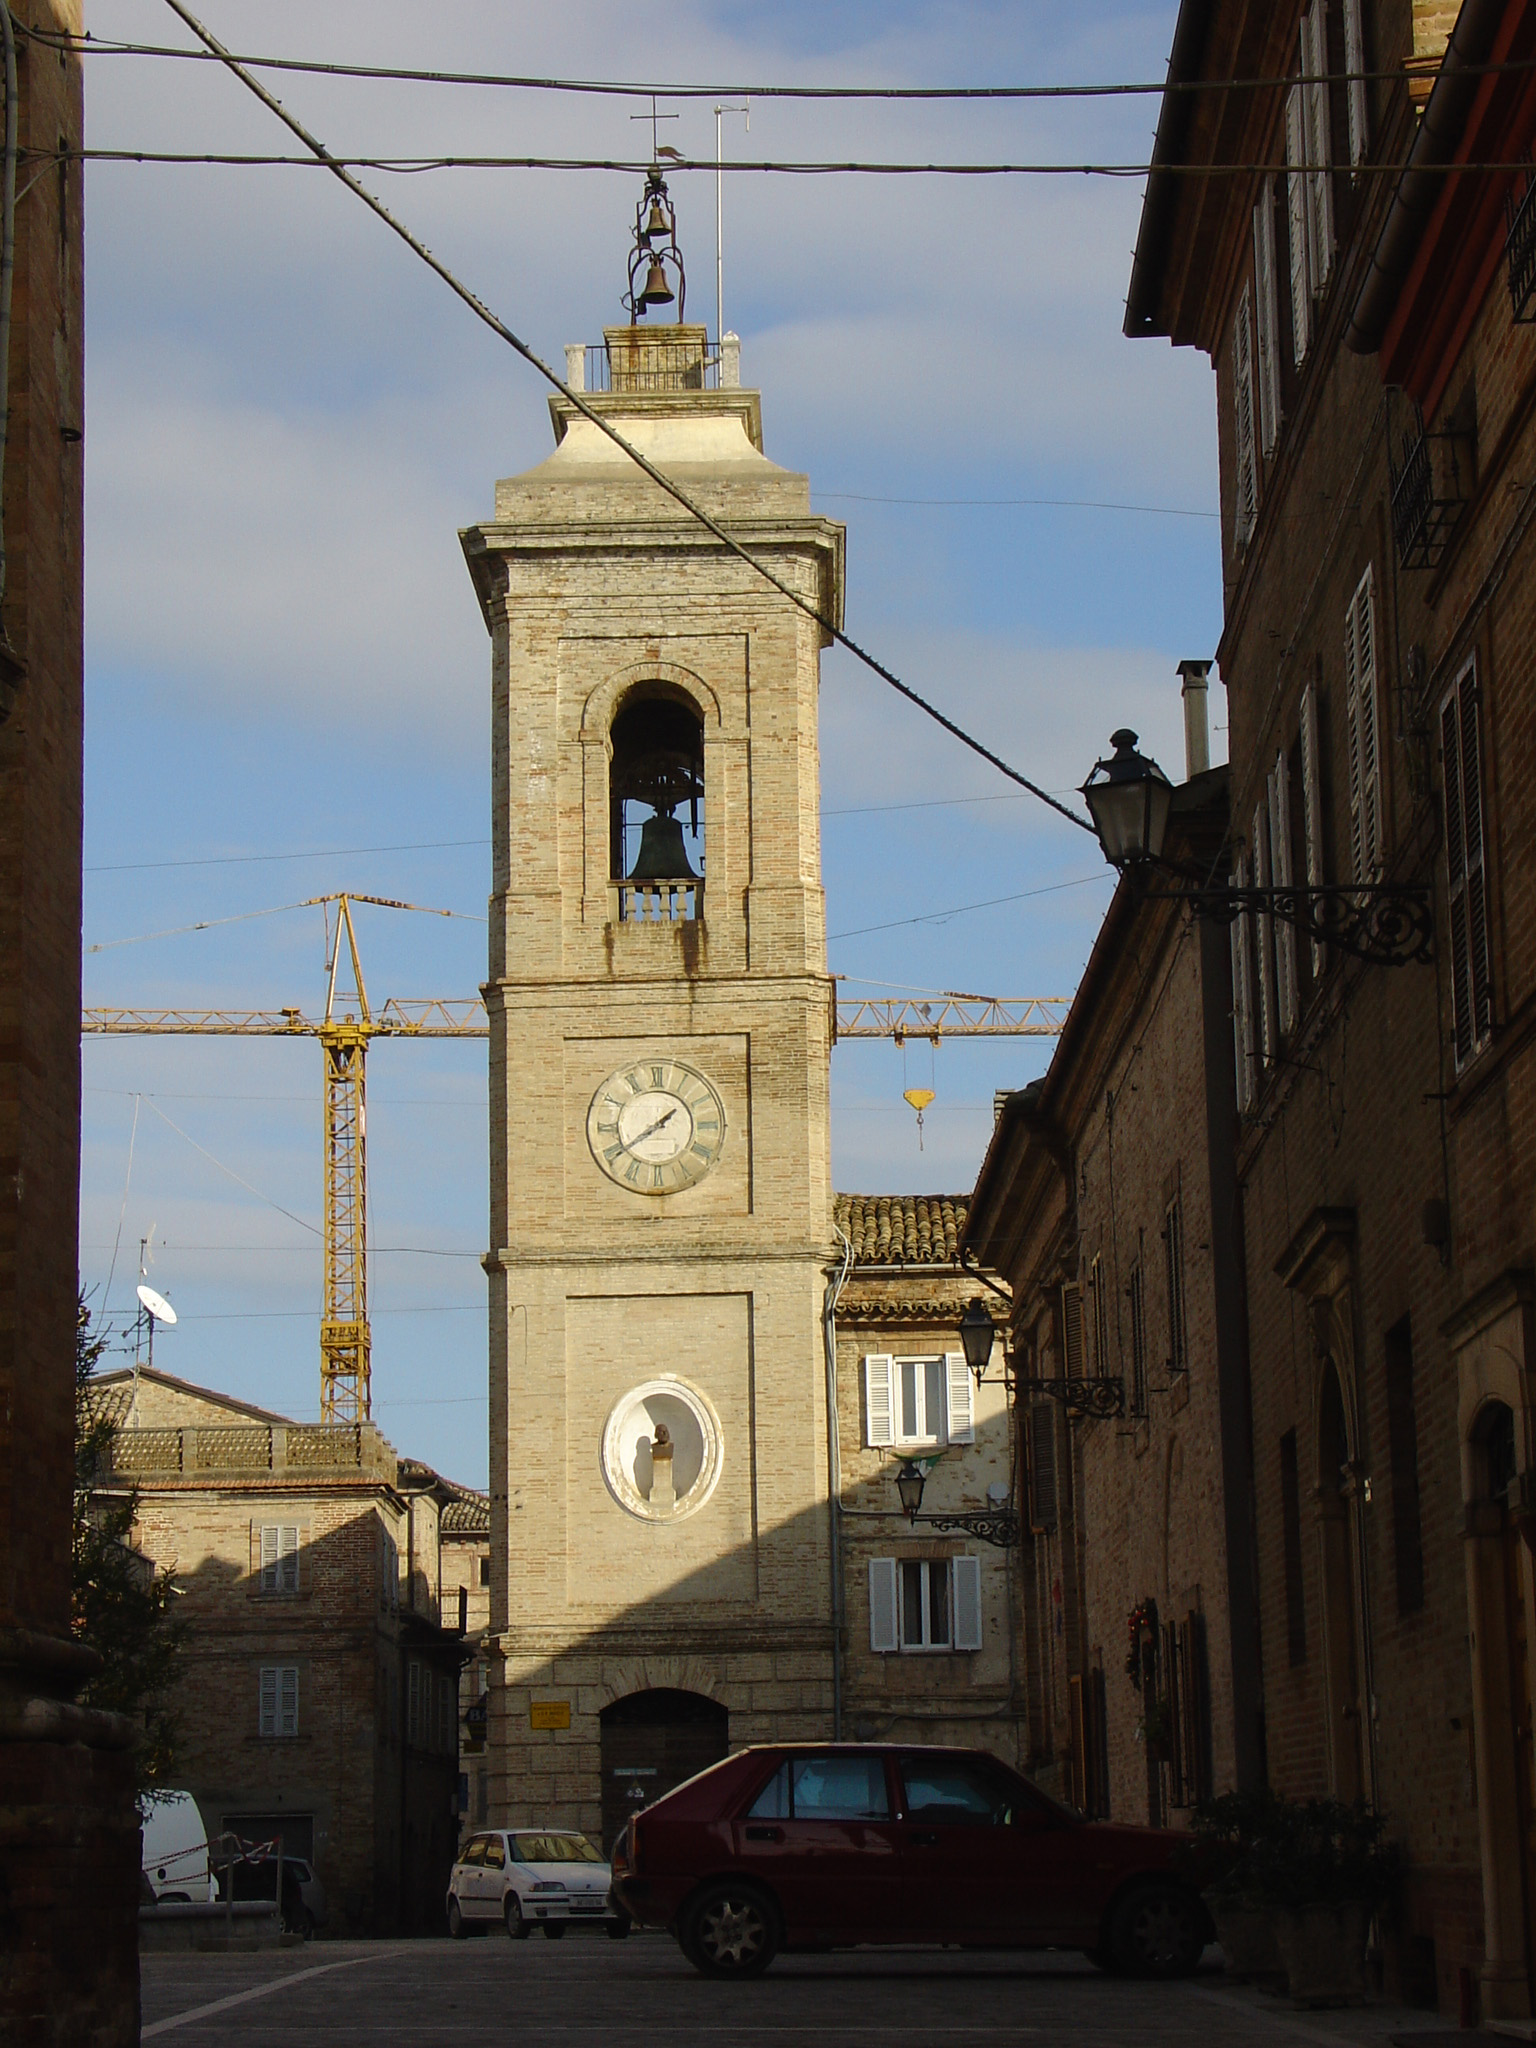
(581, 402)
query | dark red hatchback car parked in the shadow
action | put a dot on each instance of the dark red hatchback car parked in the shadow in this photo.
(828, 1846)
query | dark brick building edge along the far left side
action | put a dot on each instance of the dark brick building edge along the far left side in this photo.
(69, 1828)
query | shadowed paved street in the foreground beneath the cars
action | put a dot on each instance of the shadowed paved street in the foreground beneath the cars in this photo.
(599, 1992)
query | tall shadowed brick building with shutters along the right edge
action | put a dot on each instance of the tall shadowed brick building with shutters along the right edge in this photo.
(1375, 386)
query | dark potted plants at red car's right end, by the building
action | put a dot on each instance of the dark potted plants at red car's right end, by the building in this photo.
(1299, 1889)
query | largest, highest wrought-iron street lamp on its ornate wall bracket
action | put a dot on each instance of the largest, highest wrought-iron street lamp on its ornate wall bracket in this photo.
(1129, 800)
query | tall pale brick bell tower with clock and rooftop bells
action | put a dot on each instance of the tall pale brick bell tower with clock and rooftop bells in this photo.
(660, 1021)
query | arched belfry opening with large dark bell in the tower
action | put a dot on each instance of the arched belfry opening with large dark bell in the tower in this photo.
(656, 790)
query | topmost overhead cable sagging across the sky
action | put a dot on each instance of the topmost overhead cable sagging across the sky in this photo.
(91, 46)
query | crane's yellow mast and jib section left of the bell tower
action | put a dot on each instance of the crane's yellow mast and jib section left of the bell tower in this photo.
(345, 1340)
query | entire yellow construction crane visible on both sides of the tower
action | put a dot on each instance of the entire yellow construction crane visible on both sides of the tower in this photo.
(345, 1340)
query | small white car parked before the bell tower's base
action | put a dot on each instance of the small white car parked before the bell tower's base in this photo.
(531, 1877)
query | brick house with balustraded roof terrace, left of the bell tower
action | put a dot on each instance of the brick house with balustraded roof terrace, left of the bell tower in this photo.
(321, 1678)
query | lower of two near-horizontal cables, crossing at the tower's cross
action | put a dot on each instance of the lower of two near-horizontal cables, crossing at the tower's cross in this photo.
(638, 167)
